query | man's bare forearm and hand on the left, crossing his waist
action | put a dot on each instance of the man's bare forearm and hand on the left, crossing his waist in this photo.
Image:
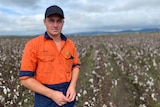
(36, 86)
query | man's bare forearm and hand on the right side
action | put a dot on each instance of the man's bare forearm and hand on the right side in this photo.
(71, 92)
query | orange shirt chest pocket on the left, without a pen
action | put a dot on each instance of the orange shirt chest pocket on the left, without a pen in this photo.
(45, 63)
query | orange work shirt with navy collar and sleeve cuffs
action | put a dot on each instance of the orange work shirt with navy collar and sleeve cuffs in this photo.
(42, 59)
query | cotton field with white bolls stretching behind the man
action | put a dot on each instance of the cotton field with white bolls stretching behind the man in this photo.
(116, 71)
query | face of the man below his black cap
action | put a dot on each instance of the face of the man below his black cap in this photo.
(54, 24)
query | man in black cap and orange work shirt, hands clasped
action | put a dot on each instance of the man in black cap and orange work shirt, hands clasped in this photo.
(50, 64)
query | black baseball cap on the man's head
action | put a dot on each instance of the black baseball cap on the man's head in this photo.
(54, 10)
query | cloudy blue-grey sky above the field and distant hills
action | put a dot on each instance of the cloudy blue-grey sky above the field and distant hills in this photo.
(25, 17)
